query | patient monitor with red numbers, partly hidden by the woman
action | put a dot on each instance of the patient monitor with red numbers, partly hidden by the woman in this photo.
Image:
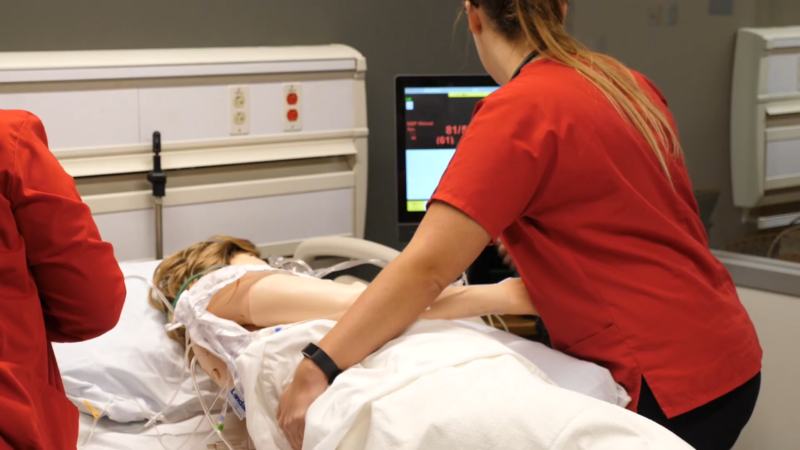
(433, 113)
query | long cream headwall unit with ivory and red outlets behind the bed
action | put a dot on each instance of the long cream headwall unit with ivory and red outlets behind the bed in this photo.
(239, 161)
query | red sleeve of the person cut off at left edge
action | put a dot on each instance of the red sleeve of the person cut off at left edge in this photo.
(80, 284)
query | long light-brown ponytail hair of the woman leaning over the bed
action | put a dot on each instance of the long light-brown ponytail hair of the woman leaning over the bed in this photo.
(541, 24)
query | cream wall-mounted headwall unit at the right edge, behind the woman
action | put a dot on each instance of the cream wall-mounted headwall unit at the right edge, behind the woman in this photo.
(765, 117)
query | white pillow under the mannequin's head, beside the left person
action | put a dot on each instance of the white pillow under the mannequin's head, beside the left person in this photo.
(135, 363)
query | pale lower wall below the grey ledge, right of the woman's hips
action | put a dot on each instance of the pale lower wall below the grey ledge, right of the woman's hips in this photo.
(776, 422)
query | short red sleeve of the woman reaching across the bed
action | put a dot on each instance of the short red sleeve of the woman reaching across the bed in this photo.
(499, 164)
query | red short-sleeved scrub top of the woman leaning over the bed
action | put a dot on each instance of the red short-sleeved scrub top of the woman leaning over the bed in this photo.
(614, 258)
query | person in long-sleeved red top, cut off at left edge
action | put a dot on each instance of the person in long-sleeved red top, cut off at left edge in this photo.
(59, 282)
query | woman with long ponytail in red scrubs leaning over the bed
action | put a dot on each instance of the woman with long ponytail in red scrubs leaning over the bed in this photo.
(575, 163)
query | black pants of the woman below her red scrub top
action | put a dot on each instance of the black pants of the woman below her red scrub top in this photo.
(714, 426)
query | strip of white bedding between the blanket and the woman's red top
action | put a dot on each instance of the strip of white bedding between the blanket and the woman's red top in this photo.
(567, 372)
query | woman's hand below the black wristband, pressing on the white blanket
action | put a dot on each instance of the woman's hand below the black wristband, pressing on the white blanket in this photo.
(308, 384)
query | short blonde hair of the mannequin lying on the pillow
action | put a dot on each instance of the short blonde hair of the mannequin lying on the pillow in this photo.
(173, 272)
